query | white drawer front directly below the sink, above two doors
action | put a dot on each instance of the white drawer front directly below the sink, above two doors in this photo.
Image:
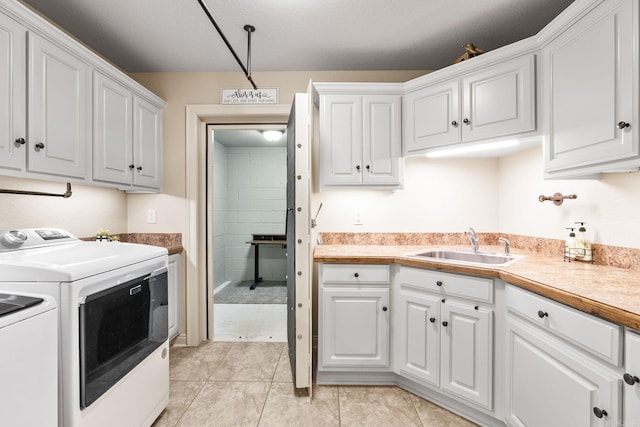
(475, 288)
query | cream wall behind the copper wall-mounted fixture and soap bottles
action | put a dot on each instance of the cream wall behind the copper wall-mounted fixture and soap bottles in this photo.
(609, 206)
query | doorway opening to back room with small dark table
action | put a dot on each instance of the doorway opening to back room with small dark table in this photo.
(247, 210)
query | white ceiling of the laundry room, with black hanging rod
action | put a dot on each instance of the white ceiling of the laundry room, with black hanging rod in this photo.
(296, 35)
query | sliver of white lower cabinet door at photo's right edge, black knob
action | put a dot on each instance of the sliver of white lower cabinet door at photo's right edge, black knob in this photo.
(632, 369)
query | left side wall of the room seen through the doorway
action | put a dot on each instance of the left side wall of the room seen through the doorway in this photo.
(219, 213)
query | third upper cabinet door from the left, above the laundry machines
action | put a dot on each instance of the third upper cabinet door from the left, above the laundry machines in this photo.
(112, 131)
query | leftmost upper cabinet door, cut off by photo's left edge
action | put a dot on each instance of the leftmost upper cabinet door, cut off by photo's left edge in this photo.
(12, 94)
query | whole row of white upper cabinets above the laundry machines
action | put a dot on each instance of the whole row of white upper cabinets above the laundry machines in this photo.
(58, 122)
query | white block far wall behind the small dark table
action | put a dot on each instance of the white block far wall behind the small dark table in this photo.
(256, 204)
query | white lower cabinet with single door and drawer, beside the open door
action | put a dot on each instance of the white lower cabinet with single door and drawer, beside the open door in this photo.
(353, 325)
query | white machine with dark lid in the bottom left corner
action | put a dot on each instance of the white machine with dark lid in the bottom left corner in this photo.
(28, 360)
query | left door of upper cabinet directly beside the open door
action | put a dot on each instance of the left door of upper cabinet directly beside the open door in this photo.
(340, 140)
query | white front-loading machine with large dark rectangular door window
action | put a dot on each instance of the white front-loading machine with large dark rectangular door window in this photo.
(112, 332)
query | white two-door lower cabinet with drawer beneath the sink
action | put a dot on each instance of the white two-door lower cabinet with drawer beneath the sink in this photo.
(442, 341)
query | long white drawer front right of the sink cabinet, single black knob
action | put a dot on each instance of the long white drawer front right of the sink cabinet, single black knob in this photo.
(598, 337)
